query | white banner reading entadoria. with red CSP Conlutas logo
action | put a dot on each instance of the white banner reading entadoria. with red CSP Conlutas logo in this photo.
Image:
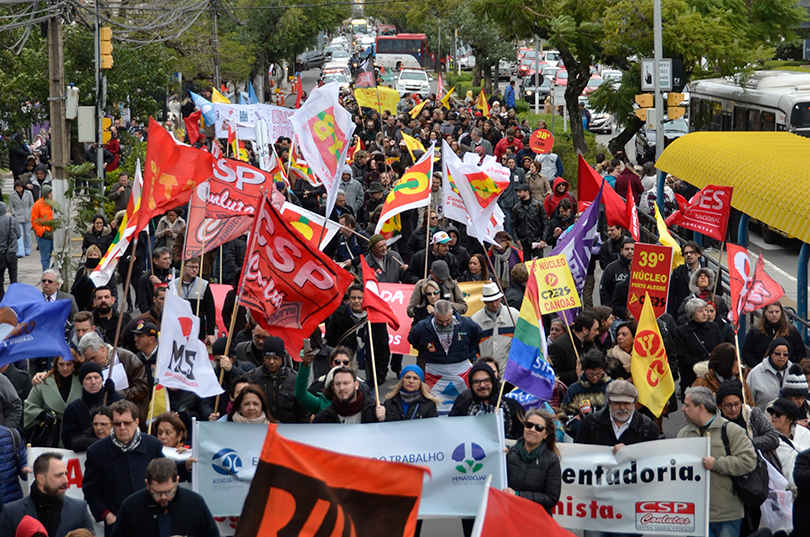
(660, 490)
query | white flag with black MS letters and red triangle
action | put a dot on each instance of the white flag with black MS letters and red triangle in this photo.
(182, 358)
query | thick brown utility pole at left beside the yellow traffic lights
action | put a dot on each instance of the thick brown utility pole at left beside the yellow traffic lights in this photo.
(60, 135)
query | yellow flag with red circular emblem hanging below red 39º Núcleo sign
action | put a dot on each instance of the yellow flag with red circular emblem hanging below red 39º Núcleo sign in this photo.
(649, 366)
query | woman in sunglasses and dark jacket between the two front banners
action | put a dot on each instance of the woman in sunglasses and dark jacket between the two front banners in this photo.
(533, 462)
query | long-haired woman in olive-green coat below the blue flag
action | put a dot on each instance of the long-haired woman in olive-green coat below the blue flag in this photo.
(60, 387)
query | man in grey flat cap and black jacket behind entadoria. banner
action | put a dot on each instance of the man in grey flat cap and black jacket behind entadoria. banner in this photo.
(599, 428)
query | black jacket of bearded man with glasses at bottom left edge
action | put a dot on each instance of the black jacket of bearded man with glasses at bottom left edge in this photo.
(187, 510)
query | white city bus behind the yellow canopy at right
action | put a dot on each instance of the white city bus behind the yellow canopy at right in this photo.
(768, 101)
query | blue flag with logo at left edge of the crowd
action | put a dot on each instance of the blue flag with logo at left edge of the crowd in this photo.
(30, 327)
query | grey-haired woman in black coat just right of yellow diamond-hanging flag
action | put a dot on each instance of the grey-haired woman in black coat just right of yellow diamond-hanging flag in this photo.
(695, 340)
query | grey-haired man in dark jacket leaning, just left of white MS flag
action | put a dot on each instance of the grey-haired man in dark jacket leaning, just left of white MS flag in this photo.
(132, 382)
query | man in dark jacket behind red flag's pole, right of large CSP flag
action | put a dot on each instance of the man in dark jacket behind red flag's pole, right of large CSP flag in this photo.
(350, 315)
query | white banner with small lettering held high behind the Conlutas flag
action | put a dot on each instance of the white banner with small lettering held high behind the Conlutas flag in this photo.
(247, 116)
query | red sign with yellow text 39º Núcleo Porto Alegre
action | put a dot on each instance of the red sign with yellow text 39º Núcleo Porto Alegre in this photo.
(650, 273)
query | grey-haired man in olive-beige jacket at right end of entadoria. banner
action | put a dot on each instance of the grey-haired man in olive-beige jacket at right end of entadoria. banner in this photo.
(732, 454)
